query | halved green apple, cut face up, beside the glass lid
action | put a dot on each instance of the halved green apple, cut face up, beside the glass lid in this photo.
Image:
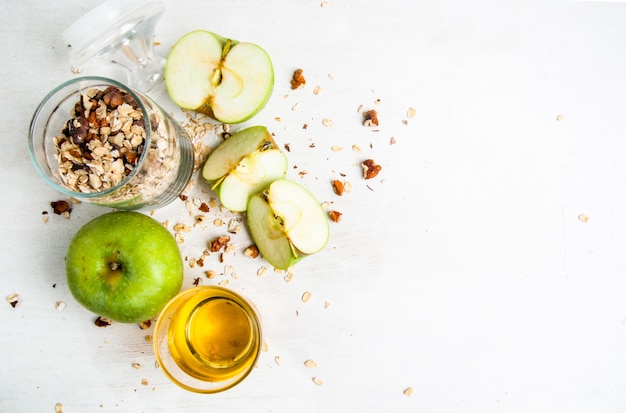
(229, 80)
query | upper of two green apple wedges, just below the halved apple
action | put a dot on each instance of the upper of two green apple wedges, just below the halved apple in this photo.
(244, 165)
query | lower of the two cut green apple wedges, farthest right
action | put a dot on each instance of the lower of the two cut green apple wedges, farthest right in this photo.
(287, 223)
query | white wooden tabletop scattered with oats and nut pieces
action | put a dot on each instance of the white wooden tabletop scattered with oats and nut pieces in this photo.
(462, 271)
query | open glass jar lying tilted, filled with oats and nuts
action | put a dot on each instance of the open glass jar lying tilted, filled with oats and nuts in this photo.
(101, 142)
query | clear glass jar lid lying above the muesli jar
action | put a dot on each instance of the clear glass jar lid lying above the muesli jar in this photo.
(120, 32)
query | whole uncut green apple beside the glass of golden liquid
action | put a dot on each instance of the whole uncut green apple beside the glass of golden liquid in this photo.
(124, 266)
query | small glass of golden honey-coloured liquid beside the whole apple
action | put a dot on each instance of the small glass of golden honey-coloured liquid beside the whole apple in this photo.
(207, 339)
